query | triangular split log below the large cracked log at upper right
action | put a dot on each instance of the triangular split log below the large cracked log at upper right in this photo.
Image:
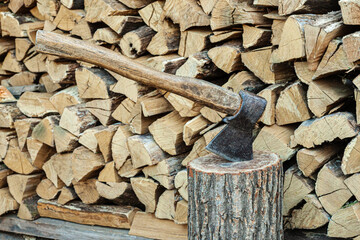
(333, 61)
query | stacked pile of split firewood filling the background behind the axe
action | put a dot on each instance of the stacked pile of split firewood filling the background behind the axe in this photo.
(84, 144)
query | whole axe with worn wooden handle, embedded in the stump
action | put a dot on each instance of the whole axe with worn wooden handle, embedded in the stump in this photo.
(233, 143)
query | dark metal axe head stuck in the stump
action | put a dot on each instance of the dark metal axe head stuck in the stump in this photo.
(234, 142)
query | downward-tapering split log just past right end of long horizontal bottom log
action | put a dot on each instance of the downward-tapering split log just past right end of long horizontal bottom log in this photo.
(147, 191)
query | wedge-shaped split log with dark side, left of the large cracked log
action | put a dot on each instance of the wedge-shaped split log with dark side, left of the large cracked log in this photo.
(258, 62)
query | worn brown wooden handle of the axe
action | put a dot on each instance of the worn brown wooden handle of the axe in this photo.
(204, 92)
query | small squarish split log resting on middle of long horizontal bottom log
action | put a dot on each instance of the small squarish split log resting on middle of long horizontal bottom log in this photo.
(86, 190)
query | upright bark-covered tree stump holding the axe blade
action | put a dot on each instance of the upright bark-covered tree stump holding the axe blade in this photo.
(235, 200)
